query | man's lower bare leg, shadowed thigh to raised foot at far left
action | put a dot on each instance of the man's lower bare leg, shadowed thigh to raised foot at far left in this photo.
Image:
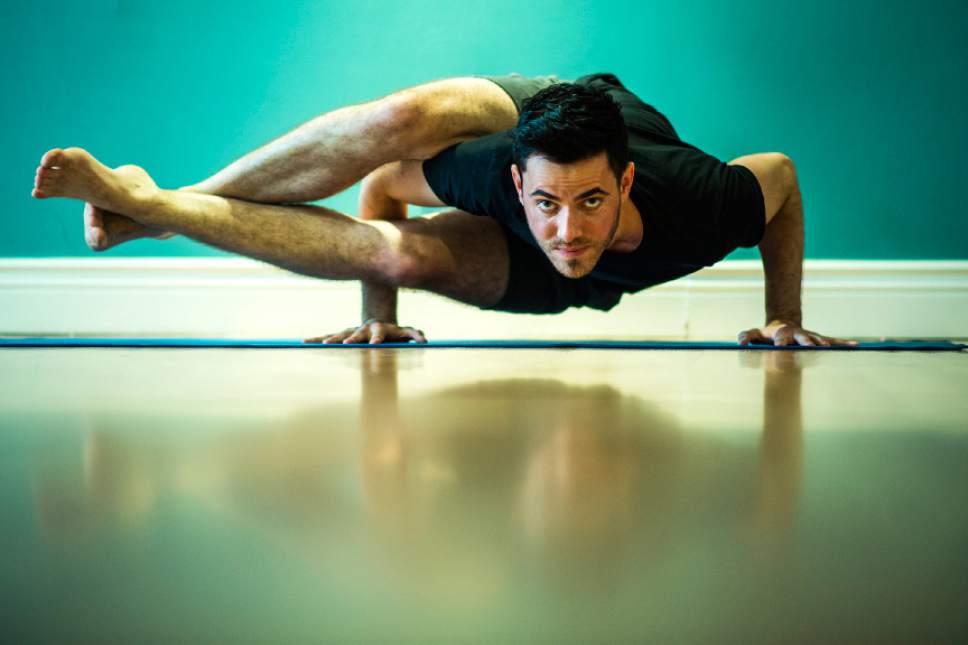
(456, 254)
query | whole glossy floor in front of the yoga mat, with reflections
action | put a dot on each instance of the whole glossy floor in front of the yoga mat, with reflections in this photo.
(483, 496)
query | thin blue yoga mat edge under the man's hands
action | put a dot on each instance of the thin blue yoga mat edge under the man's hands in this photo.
(885, 345)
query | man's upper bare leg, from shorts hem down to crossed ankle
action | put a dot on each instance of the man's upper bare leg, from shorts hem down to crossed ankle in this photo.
(335, 150)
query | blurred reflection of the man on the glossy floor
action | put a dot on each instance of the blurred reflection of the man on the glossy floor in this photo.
(483, 494)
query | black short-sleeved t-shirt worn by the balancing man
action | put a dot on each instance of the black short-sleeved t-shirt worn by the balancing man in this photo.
(695, 208)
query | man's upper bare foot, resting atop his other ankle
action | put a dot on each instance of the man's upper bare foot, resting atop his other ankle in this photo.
(74, 173)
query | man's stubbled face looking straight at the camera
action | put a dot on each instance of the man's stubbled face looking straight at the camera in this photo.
(572, 209)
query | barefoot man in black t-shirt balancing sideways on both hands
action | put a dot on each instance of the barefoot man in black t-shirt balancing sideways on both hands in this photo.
(592, 194)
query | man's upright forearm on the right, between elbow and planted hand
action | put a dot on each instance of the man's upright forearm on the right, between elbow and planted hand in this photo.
(782, 253)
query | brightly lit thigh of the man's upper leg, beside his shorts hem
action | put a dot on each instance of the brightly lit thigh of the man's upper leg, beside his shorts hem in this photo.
(452, 110)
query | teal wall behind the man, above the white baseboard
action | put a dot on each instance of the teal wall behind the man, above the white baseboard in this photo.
(867, 97)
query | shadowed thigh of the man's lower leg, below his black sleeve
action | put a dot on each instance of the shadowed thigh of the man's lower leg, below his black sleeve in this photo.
(456, 254)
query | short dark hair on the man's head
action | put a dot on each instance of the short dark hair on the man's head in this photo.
(566, 122)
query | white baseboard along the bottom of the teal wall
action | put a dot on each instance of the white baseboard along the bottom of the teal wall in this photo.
(237, 297)
